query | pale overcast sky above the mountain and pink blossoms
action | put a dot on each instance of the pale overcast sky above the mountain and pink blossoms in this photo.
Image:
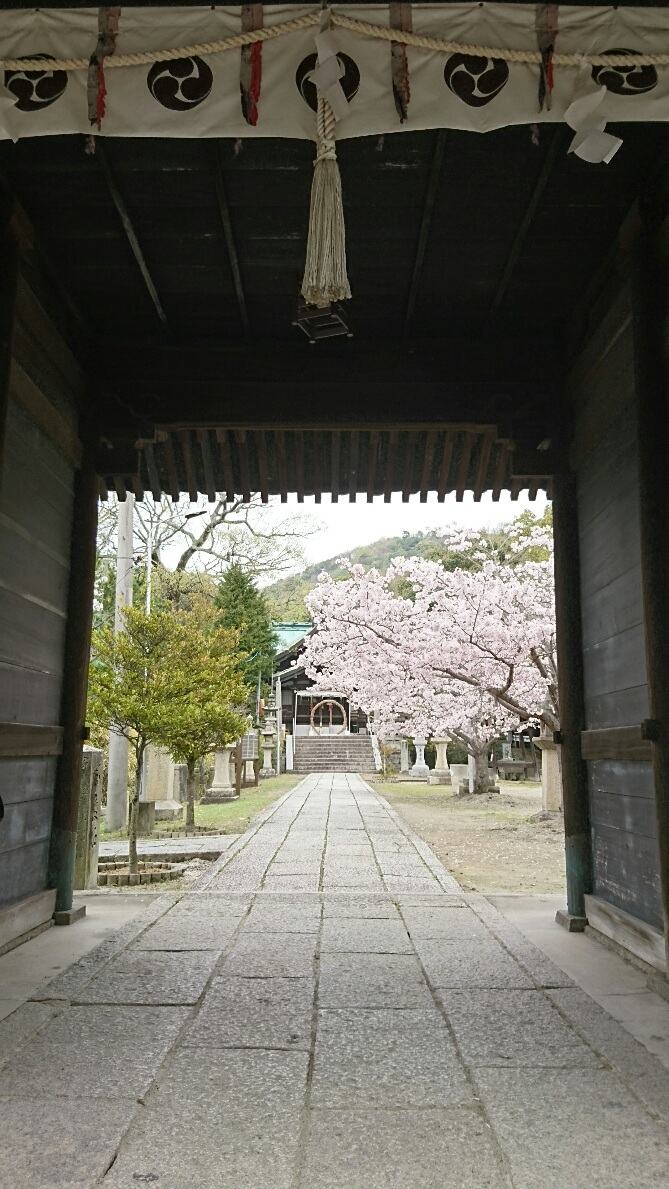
(345, 525)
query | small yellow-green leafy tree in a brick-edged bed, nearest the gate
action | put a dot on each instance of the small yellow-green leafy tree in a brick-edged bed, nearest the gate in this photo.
(146, 682)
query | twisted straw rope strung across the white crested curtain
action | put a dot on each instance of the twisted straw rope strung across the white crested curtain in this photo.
(270, 33)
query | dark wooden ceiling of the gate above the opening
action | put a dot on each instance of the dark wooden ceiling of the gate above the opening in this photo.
(176, 267)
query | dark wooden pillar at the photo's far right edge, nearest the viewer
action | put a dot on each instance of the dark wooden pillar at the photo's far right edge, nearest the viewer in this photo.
(649, 317)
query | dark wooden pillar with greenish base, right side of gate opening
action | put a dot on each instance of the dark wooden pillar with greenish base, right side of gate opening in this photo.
(578, 847)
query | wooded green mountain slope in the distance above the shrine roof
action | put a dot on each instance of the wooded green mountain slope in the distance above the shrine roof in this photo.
(287, 596)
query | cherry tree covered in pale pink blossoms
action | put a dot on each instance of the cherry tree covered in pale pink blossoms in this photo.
(463, 653)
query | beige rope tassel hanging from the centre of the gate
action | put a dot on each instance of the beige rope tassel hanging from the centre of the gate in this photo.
(325, 270)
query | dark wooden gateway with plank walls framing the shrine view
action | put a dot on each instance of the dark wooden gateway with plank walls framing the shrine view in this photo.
(507, 332)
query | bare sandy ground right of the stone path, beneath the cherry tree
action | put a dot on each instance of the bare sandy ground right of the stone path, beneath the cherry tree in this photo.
(495, 844)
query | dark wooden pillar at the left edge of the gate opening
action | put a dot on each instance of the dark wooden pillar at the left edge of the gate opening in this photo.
(75, 682)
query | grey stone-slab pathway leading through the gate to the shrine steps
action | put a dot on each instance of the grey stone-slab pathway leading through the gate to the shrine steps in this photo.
(325, 1010)
